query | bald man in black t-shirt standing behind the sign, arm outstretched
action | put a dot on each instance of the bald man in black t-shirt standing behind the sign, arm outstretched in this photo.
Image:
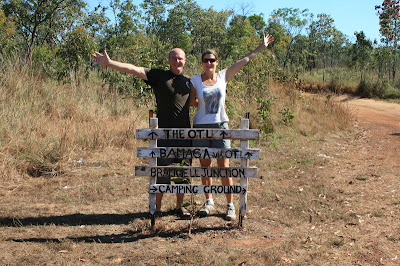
(171, 89)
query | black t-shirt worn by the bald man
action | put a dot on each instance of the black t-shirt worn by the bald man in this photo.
(172, 97)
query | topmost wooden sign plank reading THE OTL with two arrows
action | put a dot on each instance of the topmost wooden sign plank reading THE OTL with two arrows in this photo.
(196, 133)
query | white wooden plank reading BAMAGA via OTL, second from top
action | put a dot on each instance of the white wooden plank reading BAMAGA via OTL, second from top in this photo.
(197, 153)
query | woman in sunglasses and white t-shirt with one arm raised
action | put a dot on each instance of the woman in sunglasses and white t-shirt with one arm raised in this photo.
(210, 89)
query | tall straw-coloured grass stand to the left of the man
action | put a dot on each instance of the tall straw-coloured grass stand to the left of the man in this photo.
(45, 124)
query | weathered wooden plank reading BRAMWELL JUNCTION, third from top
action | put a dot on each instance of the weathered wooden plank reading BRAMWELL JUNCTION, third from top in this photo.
(185, 171)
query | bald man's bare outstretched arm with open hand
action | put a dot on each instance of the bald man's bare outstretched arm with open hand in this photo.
(104, 60)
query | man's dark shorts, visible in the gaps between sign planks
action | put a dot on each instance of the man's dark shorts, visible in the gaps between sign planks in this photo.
(169, 161)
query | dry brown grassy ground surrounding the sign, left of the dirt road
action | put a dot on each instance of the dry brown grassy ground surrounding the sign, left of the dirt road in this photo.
(60, 209)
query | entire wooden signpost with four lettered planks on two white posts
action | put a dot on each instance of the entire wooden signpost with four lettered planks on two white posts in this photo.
(244, 134)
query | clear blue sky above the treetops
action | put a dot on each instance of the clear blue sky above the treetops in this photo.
(349, 15)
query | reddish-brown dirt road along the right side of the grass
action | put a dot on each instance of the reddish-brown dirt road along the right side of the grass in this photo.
(369, 178)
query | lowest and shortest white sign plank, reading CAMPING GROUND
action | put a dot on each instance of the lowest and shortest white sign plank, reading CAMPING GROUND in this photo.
(213, 189)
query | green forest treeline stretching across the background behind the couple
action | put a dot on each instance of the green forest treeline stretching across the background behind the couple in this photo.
(57, 37)
